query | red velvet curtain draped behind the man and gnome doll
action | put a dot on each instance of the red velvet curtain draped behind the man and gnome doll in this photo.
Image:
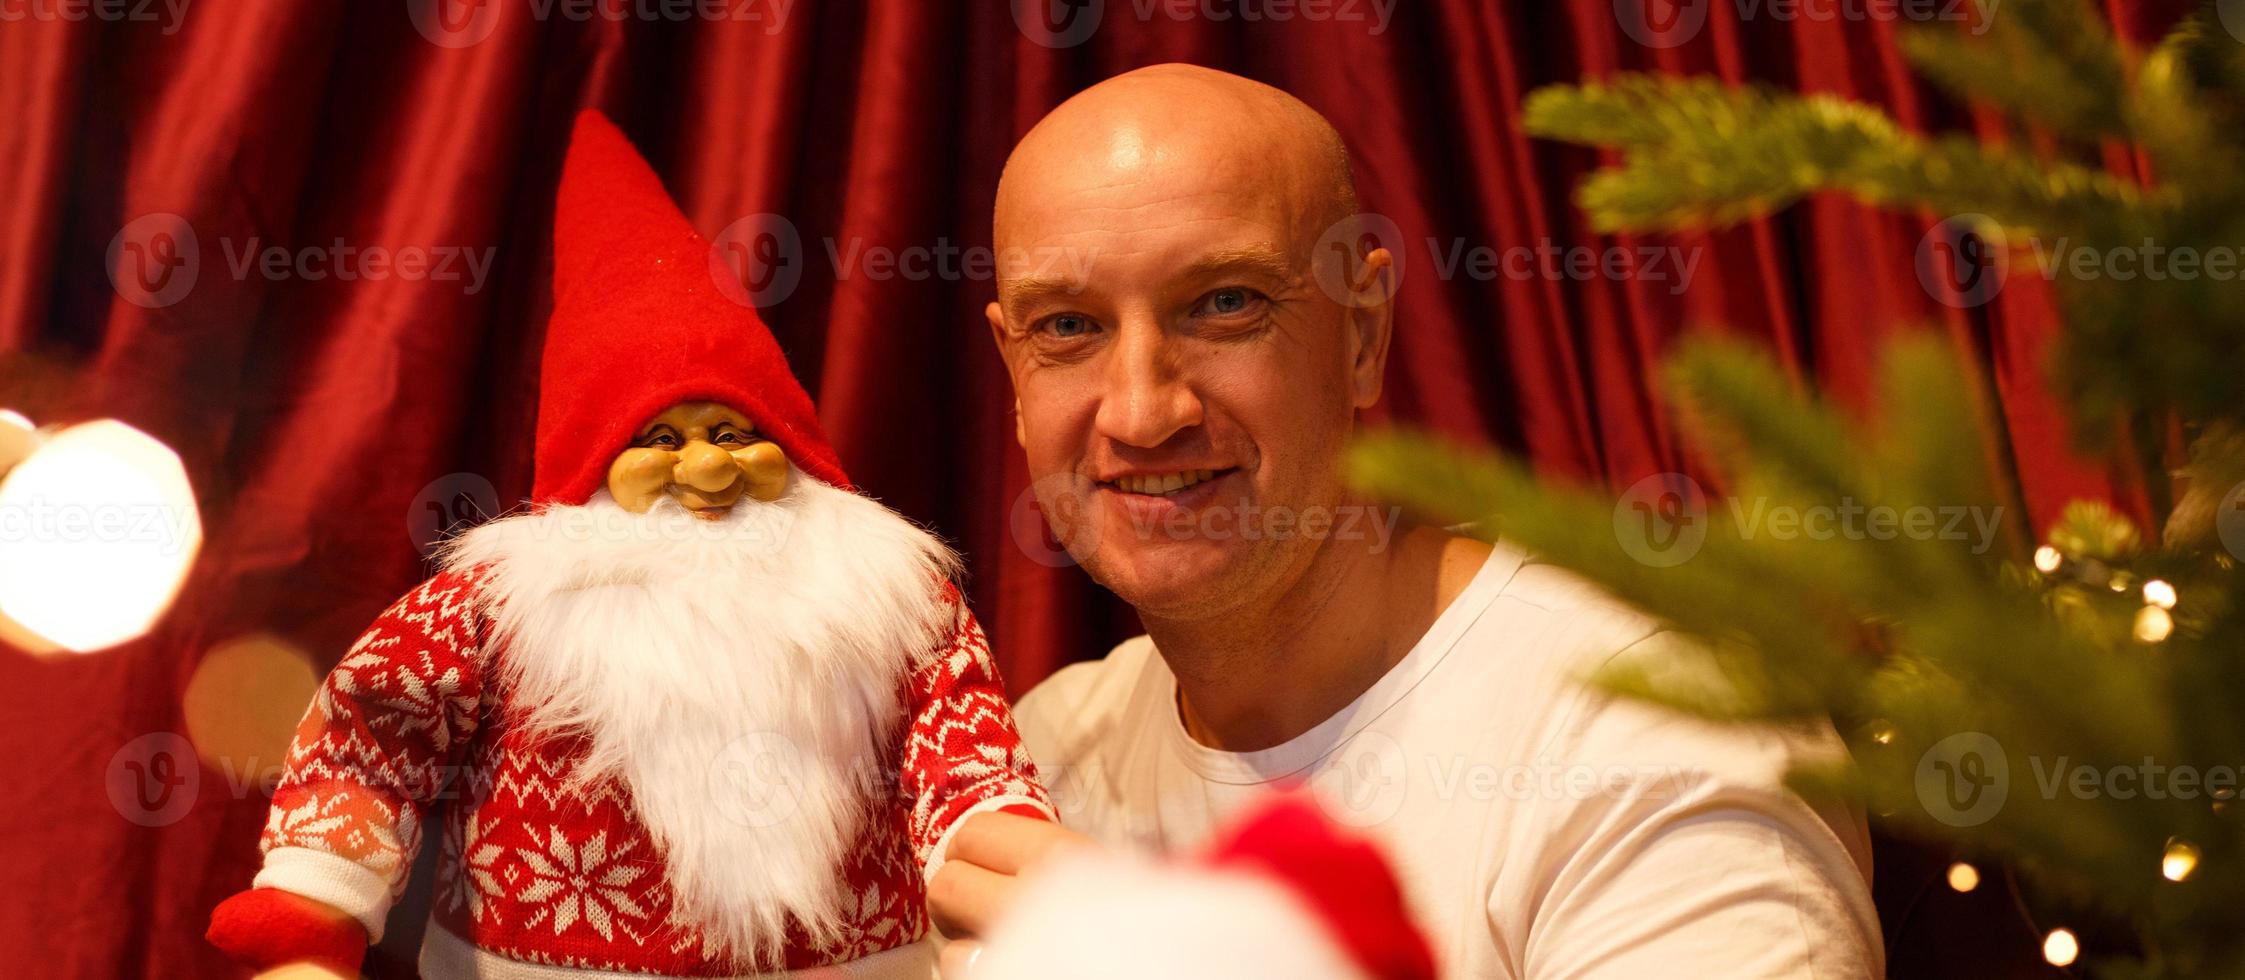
(331, 425)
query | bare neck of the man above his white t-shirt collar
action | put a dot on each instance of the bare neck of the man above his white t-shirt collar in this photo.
(1263, 676)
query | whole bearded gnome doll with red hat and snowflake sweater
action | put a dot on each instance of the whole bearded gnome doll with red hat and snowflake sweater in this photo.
(699, 712)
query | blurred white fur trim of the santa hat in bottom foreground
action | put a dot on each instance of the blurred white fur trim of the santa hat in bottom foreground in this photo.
(1106, 916)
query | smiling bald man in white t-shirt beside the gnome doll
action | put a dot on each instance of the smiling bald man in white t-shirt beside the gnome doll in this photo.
(1184, 407)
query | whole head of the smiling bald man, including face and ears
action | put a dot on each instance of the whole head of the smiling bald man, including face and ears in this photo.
(1191, 322)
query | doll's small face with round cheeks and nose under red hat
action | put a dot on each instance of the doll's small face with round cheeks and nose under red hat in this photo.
(702, 454)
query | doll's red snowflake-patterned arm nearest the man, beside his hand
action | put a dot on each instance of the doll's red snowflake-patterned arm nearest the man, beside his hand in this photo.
(962, 755)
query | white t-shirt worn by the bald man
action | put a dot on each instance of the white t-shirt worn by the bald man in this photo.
(1541, 829)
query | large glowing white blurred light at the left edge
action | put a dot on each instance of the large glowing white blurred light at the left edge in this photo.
(98, 530)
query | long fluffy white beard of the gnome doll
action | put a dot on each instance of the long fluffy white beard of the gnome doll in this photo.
(742, 678)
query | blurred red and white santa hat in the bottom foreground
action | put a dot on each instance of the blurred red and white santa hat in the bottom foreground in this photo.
(1283, 894)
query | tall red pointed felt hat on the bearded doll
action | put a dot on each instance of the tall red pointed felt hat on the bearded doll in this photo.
(641, 326)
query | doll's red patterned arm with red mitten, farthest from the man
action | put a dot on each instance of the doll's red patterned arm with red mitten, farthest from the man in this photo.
(381, 741)
